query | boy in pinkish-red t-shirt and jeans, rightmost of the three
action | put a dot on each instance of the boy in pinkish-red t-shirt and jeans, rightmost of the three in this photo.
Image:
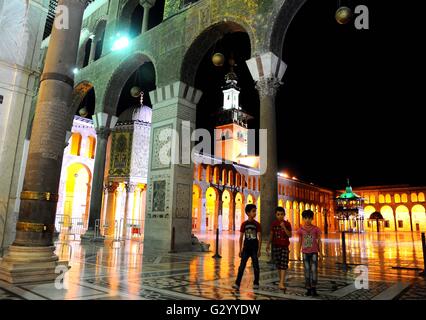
(310, 245)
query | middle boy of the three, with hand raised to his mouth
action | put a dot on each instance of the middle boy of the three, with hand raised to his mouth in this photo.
(280, 238)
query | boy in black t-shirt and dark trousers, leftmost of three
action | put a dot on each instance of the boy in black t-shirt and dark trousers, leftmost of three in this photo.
(251, 232)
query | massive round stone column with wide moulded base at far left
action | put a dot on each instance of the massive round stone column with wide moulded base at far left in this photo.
(31, 257)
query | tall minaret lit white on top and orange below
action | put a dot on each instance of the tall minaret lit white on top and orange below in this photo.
(231, 131)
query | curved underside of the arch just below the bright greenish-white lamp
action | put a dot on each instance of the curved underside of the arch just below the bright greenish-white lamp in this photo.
(119, 78)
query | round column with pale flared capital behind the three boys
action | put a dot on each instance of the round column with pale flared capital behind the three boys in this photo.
(267, 71)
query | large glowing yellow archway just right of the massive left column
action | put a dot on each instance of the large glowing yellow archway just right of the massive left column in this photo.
(77, 193)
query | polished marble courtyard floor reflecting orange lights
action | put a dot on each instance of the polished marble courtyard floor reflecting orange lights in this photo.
(127, 270)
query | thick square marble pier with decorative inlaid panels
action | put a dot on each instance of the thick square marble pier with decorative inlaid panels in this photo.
(169, 197)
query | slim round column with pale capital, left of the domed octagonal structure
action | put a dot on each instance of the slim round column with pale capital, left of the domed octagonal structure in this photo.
(103, 124)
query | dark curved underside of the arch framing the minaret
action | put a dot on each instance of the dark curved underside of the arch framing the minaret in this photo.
(204, 41)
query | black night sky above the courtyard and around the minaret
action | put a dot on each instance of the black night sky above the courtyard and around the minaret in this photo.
(351, 104)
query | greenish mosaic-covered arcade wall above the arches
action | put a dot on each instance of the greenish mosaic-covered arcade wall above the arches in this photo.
(182, 35)
